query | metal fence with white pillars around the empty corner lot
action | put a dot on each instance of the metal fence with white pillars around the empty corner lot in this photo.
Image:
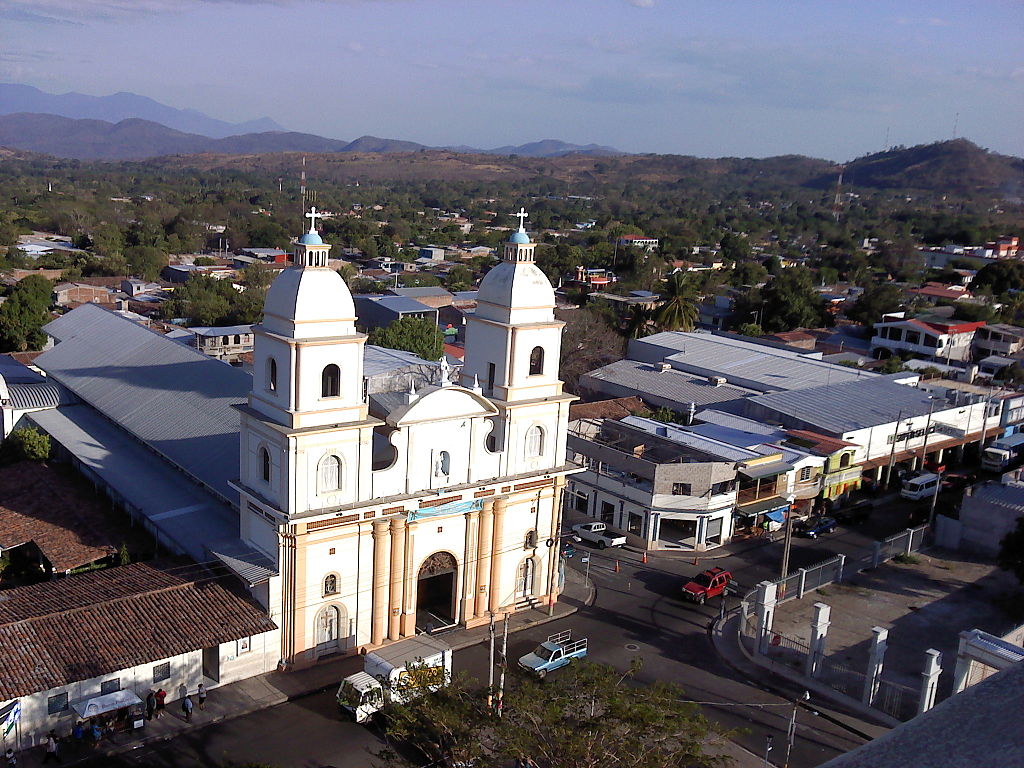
(890, 702)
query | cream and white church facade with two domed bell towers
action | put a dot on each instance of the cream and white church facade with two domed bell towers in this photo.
(397, 514)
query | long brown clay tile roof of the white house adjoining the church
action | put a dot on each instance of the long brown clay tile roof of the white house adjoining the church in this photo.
(95, 624)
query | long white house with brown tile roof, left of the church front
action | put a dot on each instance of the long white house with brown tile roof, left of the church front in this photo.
(90, 648)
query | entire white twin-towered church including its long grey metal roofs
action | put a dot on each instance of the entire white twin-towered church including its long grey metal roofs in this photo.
(356, 520)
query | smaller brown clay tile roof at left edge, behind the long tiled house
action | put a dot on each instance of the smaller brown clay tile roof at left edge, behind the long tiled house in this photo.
(36, 505)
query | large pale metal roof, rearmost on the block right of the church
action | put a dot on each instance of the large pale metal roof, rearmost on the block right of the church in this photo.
(742, 363)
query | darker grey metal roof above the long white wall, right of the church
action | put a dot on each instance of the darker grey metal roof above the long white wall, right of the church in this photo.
(844, 408)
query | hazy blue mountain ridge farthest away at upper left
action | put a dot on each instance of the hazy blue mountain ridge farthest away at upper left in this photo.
(118, 107)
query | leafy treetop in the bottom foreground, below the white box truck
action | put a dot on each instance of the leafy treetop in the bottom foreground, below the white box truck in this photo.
(590, 715)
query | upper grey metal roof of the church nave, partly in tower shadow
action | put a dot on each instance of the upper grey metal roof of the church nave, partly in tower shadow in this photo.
(172, 398)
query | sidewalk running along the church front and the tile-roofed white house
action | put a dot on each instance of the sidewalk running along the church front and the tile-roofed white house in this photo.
(261, 693)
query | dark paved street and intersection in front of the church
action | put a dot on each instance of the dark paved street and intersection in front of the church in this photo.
(637, 613)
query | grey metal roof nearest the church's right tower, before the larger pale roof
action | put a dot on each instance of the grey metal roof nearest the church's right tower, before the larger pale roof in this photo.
(632, 377)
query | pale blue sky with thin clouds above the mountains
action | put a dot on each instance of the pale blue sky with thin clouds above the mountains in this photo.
(710, 78)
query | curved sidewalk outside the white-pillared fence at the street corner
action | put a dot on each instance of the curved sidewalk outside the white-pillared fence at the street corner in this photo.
(726, 638)
